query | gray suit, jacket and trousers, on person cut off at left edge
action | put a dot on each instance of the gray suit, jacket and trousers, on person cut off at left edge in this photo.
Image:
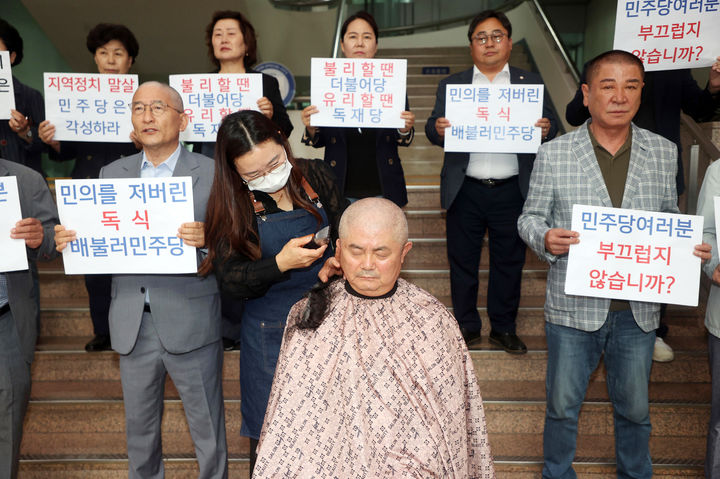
(18, 327)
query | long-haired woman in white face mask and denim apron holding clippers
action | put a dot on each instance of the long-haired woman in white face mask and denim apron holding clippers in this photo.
(263, 210)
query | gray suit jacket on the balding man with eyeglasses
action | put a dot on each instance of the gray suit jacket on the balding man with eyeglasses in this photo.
(185, 307)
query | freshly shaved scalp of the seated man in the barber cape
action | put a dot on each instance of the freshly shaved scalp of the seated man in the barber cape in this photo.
(377, 214)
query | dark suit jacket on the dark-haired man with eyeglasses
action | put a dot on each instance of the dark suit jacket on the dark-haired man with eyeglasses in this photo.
(455, 164)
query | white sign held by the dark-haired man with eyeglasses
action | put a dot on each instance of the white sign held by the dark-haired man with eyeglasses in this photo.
(493, 118)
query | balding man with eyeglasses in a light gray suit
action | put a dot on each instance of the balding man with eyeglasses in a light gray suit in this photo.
(167, 323)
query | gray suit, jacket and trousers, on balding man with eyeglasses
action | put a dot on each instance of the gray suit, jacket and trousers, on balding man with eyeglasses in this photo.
(180, 336)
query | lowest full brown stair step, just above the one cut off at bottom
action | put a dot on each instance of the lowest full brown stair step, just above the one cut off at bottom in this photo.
(80, 429)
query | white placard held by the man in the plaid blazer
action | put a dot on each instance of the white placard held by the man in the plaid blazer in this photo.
(635, 255)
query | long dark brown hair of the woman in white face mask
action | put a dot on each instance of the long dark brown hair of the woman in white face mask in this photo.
(230, 219)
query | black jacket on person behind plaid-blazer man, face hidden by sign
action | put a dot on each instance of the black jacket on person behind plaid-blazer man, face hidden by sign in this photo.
(673, 91)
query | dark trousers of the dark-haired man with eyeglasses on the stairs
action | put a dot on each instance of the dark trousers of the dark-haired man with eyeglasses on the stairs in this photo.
(475, 210)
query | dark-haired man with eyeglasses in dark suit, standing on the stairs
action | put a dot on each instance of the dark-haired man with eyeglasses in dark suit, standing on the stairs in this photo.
(485, 192)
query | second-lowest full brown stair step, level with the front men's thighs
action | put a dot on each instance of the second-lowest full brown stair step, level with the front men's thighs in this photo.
(72, 374)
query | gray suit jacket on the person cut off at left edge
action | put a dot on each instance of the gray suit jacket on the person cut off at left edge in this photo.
(35, 202)
